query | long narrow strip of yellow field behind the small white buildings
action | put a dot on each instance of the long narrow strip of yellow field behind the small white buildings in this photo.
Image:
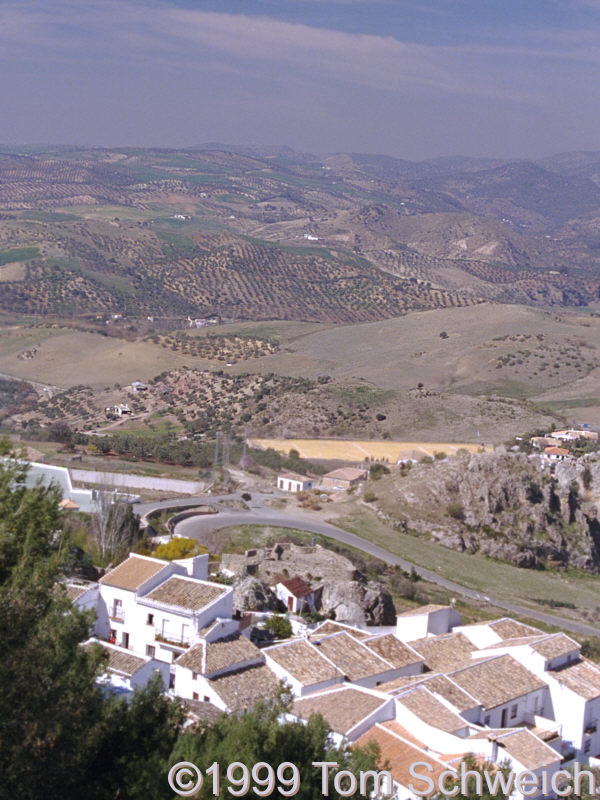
(357, 450)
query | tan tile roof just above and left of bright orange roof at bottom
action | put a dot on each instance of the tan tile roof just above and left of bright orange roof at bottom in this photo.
(342, 708)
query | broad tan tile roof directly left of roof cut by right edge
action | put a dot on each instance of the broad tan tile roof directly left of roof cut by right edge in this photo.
(497, 680)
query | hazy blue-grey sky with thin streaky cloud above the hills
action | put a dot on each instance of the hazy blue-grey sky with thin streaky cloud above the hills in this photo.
(412, 78)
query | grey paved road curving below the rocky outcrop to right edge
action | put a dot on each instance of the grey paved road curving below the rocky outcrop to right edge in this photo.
(259, 514)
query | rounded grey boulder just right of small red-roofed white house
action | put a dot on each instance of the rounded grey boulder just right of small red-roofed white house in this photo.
(358, 603)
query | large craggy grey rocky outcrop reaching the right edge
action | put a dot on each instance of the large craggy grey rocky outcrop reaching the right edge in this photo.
(503, 505)
